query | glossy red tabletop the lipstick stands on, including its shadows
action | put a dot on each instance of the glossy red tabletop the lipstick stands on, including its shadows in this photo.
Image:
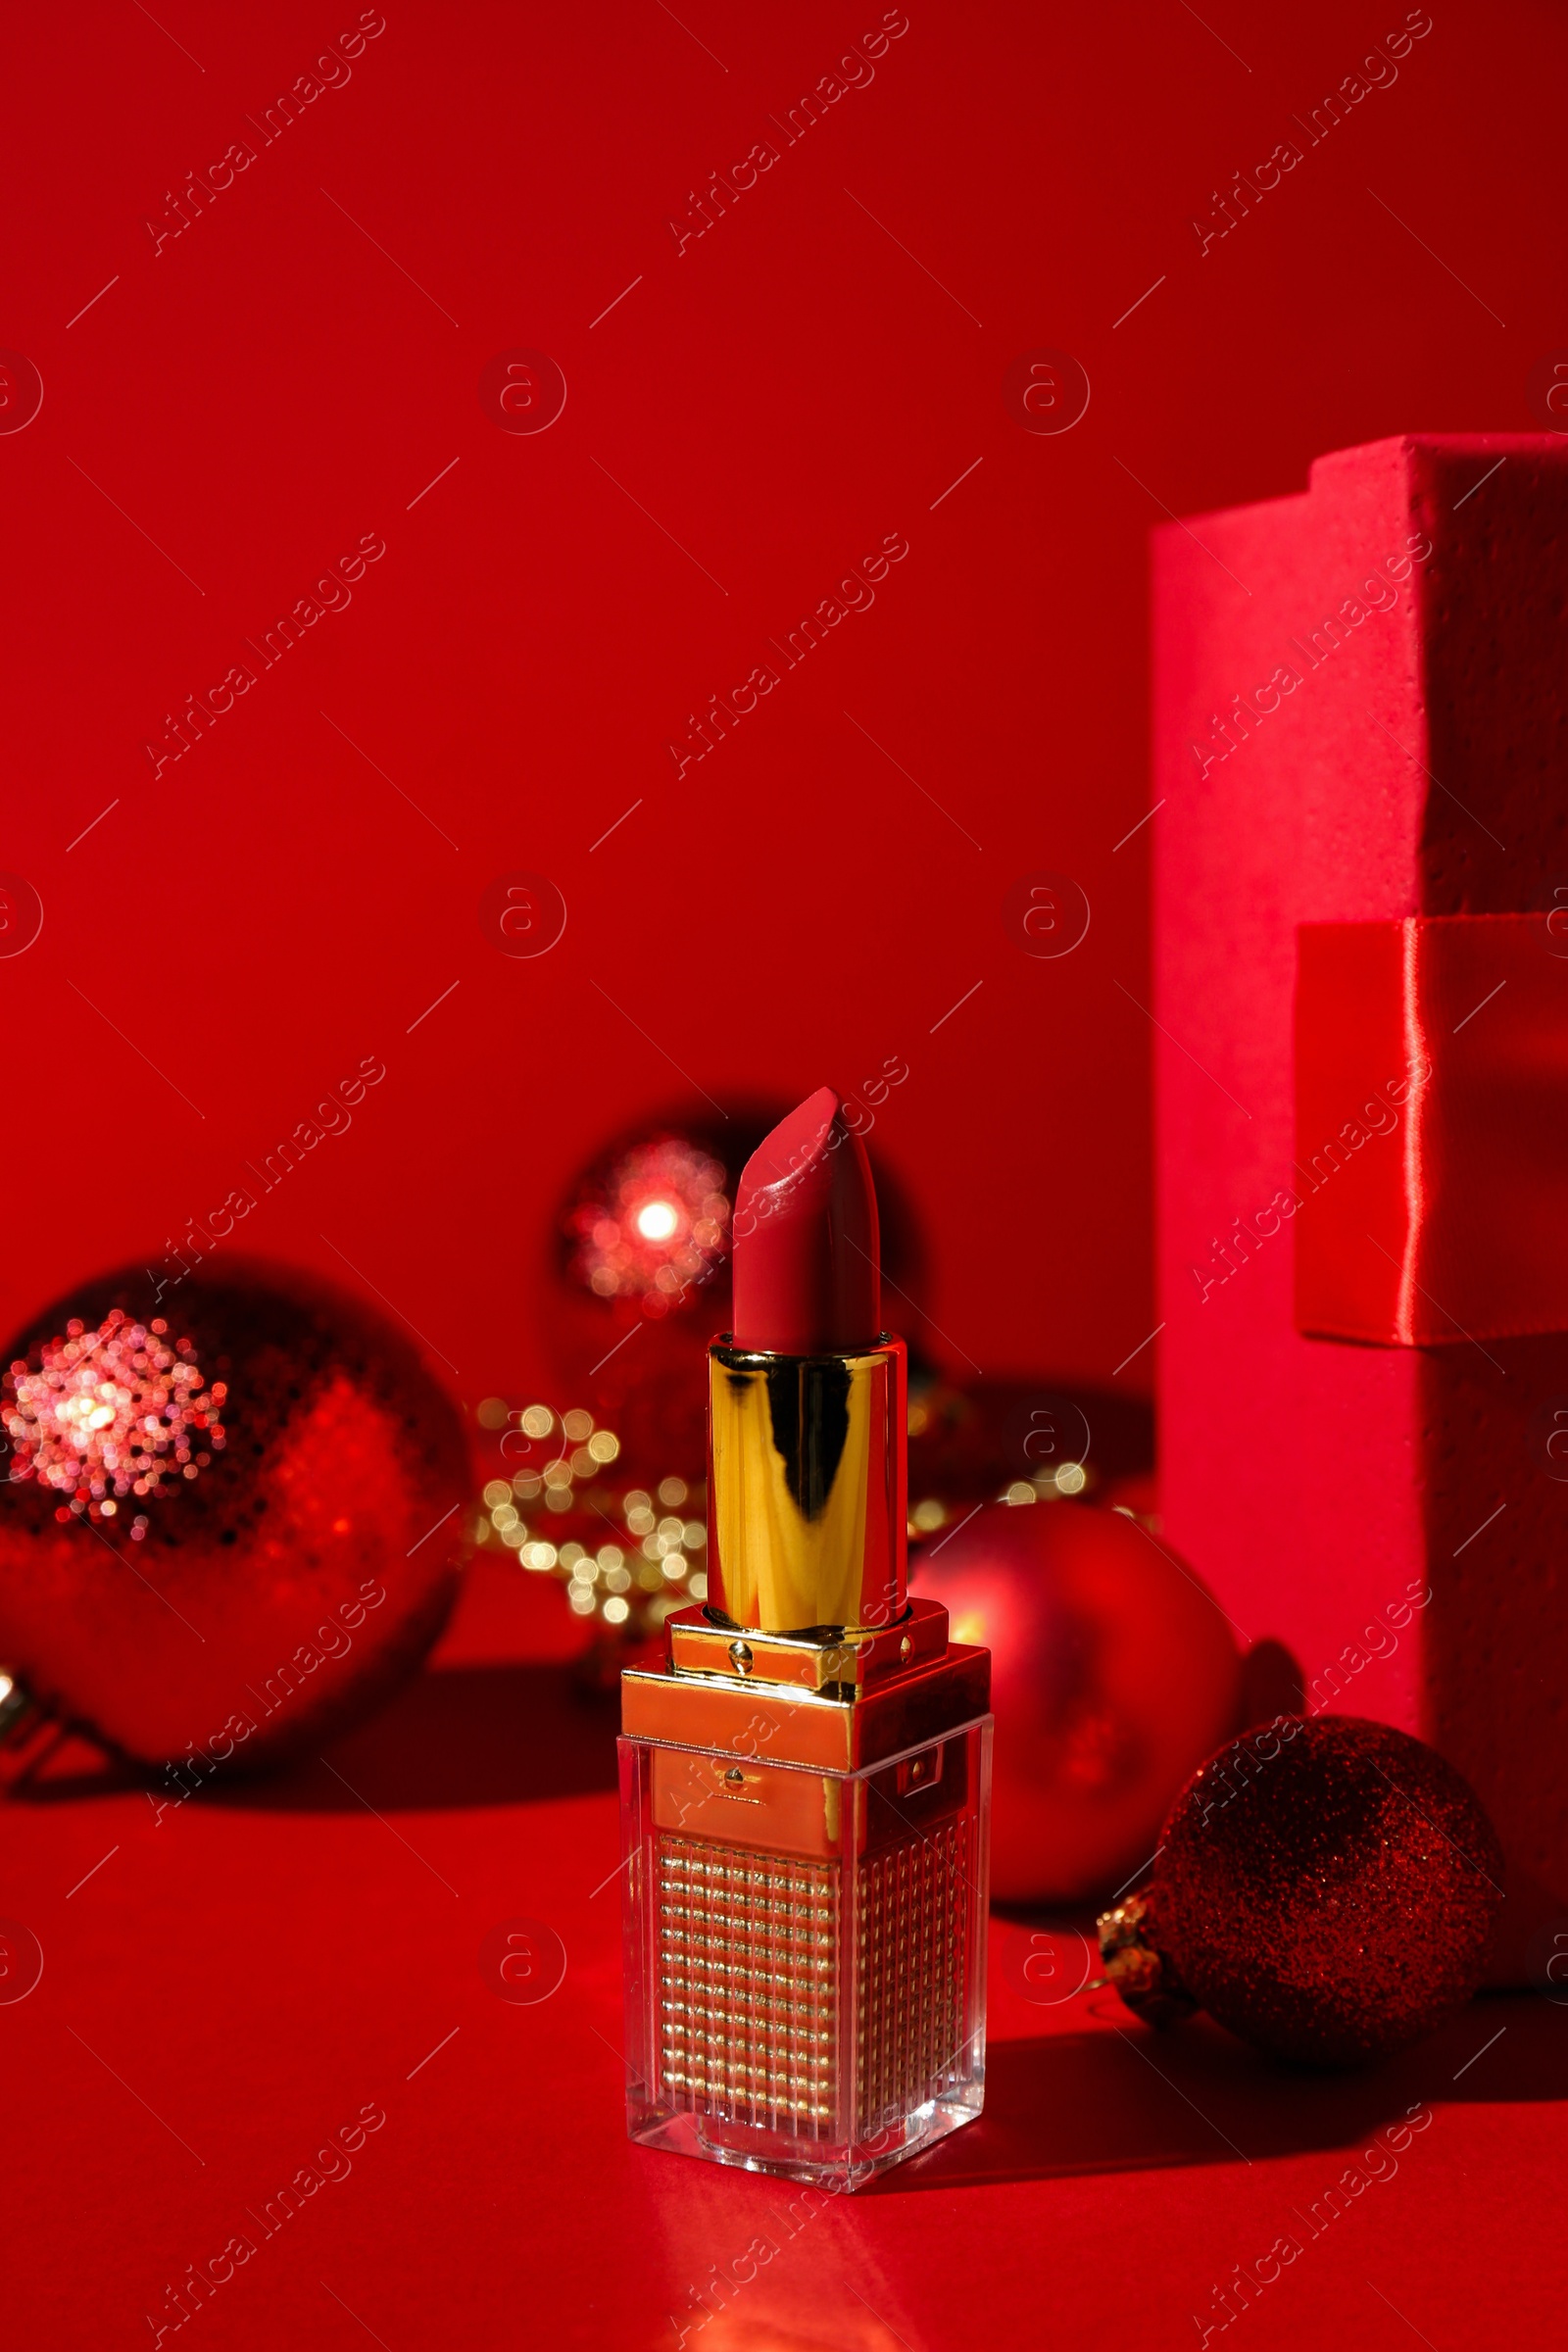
(262, 1970)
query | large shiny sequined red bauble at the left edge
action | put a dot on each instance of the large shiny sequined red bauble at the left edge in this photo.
(234, 1518)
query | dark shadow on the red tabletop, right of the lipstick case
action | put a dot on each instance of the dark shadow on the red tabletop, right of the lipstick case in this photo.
(1132, 2099)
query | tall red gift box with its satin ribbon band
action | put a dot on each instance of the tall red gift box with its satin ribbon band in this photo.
(1362, 719)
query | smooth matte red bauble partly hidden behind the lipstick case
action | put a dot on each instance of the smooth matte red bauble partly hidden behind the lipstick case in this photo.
(1113, 1673)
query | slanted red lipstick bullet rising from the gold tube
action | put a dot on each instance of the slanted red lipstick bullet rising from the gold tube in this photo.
(808, 1271)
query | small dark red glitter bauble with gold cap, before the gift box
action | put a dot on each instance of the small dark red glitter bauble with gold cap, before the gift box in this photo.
(1327, 1890)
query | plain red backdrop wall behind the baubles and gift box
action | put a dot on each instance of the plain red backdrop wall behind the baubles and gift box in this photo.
(782, 396)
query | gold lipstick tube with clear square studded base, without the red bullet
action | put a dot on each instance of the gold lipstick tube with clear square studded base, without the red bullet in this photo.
(805, 1803)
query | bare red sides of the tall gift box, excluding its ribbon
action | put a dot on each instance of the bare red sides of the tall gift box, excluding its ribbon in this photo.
(1393, 1516)
